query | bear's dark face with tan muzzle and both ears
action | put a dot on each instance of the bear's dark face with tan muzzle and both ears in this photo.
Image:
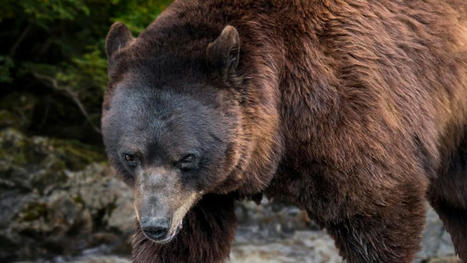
(169, 140)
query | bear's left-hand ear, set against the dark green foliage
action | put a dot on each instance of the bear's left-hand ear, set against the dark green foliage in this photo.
(118, 37)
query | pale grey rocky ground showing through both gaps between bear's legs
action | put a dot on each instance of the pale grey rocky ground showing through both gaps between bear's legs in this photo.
(275, 232)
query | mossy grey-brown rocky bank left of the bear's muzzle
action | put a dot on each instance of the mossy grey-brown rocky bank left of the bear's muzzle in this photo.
(58, 197)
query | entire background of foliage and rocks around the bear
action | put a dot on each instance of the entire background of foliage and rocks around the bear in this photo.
(59, 200)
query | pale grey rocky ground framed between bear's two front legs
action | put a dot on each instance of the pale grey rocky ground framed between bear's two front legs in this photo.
(275, 232)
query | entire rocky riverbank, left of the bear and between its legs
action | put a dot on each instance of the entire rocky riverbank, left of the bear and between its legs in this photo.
(61, 203)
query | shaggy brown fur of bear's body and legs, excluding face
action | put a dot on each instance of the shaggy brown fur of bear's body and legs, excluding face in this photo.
(353, 110)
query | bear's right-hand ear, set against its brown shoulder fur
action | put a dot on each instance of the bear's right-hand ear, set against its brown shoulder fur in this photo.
(223, 54)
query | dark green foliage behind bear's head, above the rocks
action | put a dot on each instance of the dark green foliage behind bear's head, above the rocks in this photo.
(54, 49)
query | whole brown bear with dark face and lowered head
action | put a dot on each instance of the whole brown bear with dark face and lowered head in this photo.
(353, 110)
